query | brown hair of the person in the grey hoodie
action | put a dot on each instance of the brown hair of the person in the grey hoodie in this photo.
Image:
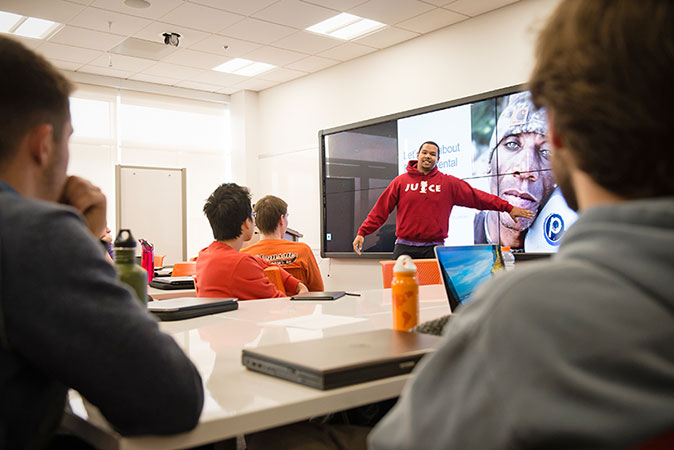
(605, 71)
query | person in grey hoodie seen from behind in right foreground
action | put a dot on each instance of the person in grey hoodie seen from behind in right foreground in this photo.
(577, 352)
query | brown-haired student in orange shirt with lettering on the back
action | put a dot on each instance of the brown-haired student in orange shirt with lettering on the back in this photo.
(297, 257)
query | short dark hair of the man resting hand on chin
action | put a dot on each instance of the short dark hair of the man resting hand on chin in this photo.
(32, 92)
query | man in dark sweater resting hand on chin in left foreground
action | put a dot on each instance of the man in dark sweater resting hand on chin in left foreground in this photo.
(65, 320)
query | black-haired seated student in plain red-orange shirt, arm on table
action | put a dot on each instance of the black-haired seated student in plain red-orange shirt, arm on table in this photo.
(222, 270)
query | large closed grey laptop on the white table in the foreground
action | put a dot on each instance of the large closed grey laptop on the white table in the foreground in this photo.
(343, 360)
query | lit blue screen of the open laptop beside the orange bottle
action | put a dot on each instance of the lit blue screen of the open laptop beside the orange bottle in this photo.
(464, 267)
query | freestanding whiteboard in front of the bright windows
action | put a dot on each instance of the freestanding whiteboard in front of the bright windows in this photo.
(150, 201)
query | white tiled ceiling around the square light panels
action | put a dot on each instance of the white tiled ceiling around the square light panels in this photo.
(270, 31)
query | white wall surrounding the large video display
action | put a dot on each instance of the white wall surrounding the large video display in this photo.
(488, 52)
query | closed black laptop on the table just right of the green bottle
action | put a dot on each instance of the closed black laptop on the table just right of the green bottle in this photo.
(189, 307)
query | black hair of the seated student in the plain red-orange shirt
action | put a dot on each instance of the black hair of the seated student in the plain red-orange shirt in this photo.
(227, 208)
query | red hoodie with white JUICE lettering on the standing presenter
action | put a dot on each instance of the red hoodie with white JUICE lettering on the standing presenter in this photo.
(424, 204)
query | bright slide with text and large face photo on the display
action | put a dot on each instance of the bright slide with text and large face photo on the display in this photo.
(498, 145)
